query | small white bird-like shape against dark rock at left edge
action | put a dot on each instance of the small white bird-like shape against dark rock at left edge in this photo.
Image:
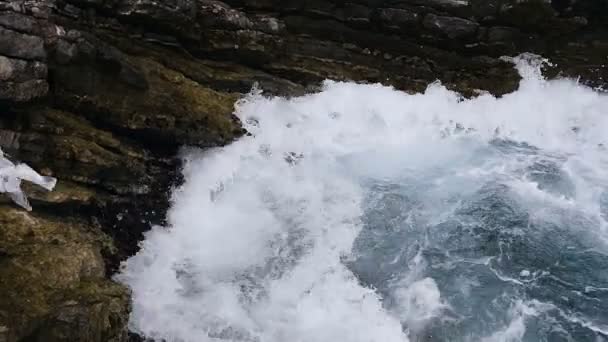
(11, 176)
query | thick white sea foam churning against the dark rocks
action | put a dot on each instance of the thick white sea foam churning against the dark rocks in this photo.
(259, 232)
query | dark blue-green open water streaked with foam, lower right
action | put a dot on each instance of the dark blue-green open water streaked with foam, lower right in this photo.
(487, 256)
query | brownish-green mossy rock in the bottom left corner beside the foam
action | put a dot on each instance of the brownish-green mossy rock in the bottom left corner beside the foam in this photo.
(53, 284)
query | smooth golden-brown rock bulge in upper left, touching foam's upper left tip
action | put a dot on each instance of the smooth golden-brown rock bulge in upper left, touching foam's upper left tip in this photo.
(173, 109)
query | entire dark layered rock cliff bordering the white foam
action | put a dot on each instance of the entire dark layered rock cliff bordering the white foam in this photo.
(102, 93)
